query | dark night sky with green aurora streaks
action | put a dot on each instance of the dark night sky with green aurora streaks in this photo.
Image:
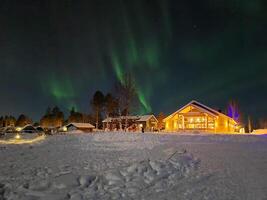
(59, 52)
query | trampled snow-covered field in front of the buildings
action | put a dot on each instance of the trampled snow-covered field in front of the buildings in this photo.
(136, 166)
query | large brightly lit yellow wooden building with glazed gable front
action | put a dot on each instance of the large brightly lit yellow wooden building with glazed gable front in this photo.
(195, 116)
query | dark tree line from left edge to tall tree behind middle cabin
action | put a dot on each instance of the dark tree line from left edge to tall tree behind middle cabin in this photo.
(121, 102)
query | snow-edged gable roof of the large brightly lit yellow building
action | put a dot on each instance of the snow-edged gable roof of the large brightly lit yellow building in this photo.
(202, 107)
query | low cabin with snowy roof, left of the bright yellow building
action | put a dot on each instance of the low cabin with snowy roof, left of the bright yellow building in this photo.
(131, 123)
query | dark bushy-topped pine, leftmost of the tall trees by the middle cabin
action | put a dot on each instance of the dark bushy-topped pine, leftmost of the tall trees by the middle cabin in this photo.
(97, 104)
